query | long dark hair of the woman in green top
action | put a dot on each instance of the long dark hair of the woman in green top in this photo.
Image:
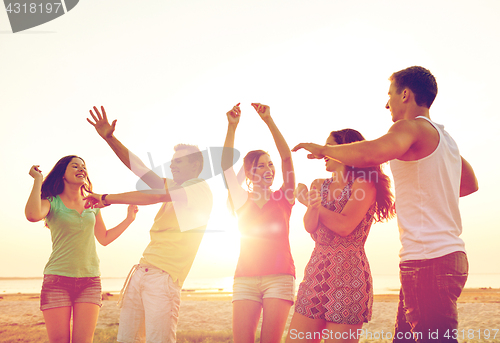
(53, 184)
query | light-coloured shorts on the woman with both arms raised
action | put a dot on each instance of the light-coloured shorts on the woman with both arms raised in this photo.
(257, 288)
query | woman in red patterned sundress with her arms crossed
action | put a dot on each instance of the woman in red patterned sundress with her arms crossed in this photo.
(336, 296)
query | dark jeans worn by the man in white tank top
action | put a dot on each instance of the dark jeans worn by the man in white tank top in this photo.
(427, 310)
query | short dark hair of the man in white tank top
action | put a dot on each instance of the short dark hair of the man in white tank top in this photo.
(420, 81)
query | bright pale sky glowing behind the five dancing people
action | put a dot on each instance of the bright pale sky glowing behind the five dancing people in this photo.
(168, 71)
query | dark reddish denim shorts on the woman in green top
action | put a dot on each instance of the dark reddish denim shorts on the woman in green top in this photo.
(63, 291)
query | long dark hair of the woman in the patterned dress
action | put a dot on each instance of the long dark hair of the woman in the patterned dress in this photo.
(384, 204)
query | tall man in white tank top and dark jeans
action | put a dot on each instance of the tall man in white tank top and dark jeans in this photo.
(429, 176)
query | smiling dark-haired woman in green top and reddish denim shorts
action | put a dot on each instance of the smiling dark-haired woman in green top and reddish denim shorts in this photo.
(71, 282)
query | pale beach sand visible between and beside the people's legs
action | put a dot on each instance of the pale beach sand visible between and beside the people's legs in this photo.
(479, 310)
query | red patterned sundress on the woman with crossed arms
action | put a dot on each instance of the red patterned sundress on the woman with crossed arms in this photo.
(337, 285)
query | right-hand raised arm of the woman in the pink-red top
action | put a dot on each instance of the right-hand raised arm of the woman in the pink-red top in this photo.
(283, 149)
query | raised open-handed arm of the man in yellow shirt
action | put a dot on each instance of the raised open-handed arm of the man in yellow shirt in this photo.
(134, 163)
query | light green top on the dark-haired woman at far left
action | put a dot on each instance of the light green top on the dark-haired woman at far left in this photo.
(73, 243)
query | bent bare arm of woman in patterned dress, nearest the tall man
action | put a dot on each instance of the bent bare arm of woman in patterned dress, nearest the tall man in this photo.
(344, 223)
